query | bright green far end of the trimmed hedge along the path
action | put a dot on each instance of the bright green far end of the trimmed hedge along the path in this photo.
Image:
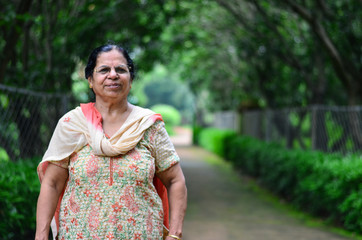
(213, 139)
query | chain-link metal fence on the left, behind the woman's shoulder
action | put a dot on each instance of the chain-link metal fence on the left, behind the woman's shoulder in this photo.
(27, 120)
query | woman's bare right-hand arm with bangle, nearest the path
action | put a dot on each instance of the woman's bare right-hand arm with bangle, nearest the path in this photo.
(174, 180)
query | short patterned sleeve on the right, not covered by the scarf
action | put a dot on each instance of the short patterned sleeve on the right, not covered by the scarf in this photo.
(165, 153)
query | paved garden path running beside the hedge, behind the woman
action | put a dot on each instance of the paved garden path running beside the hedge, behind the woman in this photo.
(223, 205)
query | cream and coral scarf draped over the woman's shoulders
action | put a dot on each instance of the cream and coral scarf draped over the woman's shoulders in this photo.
(82, 126)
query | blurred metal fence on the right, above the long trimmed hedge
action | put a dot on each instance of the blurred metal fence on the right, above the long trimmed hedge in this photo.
(329, 129)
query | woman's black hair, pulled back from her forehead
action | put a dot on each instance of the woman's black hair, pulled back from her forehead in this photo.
(92, 60)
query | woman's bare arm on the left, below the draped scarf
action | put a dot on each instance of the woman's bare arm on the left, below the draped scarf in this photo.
(52, 186)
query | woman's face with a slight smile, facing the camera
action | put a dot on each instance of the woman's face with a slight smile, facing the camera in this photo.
(111, 79)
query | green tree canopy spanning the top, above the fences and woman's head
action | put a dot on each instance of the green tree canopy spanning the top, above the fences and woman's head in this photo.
(232, 53)
